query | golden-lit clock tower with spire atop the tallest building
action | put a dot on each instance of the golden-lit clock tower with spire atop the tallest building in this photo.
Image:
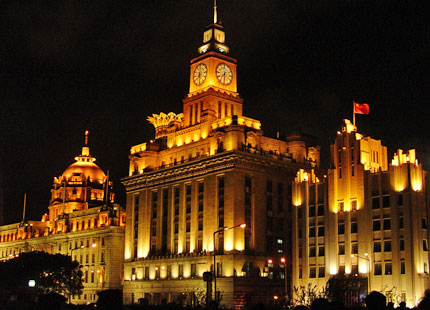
(213, 80)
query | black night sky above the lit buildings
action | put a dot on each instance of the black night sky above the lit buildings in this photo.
(67, 66)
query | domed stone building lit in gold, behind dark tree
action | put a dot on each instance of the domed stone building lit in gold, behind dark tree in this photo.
(81, 213)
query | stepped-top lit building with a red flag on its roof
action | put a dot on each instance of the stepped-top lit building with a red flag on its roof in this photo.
(366, 213)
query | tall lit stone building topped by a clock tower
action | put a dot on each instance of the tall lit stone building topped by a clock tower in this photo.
(207, 168)
